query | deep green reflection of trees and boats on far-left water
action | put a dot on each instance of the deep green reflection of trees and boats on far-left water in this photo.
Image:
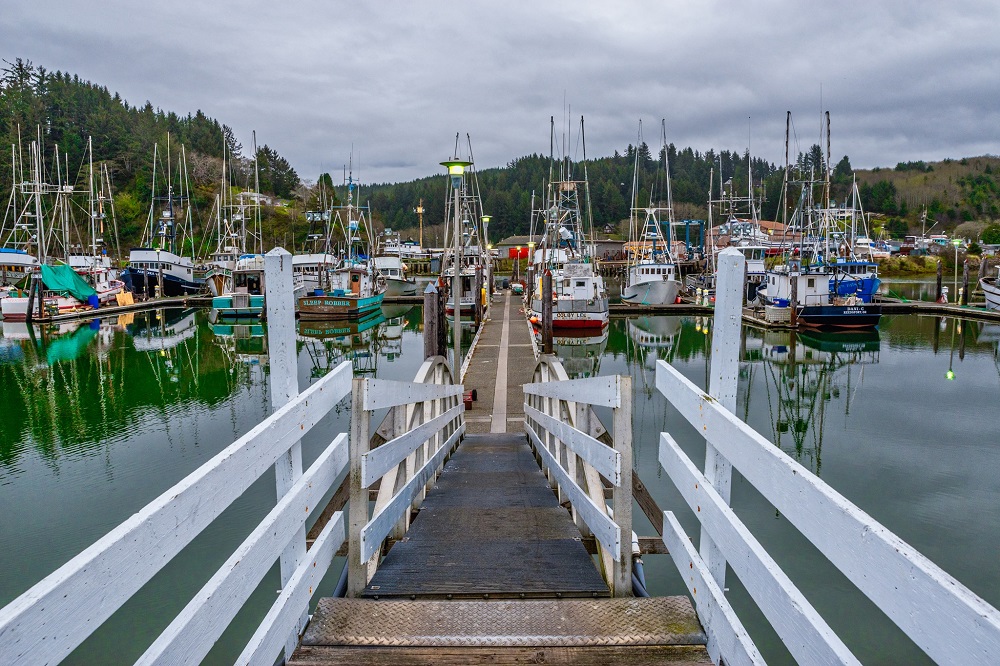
(78, 384)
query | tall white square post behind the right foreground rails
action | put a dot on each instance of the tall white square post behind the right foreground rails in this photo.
(723, 381)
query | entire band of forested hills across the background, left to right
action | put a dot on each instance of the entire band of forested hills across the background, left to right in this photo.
(64, 111)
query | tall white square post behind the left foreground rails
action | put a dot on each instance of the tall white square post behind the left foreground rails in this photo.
(280, 305)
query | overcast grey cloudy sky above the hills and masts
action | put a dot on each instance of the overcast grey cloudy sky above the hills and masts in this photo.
(902, 79)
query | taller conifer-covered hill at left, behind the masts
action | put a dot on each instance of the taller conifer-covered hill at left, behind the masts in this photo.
(63, 111)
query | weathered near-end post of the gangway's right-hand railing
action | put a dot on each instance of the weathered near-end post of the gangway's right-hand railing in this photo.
(622, 495)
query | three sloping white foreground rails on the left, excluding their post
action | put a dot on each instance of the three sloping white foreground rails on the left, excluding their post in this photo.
(52, 618)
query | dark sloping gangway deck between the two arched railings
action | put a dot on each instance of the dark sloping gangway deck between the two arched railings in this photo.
(491, 526)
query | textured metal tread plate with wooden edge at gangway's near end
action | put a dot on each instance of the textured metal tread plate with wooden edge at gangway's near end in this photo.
(588, 631)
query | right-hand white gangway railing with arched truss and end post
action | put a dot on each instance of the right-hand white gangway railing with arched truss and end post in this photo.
(558, 415)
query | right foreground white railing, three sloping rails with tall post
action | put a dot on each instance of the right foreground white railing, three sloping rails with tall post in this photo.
(944, 618)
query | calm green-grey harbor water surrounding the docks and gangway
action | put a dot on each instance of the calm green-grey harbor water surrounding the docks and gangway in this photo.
(100, 418)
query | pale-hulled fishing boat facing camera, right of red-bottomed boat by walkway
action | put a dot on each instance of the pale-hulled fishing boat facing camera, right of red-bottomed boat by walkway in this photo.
(652, 277)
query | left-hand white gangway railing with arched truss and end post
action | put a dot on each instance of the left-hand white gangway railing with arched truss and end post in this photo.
(428, 421)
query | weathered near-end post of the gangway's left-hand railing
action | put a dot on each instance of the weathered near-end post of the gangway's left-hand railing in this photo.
(357, 572)
